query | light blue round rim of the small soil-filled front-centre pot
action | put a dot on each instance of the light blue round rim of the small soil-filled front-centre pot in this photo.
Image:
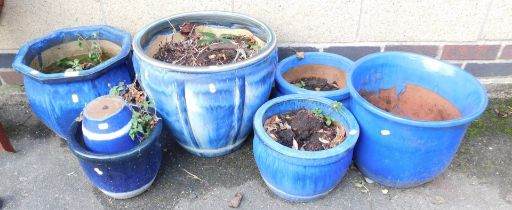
(352, 130)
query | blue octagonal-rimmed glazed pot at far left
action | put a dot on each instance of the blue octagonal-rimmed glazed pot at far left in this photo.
(57, 99)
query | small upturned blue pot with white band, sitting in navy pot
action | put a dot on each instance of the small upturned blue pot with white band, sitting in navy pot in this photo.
(108, 132)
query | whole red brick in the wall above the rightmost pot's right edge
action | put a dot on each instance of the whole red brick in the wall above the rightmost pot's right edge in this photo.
(470, 52)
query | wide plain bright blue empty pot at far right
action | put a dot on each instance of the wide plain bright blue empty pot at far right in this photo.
(401, 152)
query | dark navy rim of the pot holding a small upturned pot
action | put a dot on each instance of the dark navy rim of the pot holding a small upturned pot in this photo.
(82, 153)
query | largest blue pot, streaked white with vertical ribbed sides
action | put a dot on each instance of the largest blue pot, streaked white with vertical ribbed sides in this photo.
(209, 110)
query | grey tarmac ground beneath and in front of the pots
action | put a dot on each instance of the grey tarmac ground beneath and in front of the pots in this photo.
(43, 174)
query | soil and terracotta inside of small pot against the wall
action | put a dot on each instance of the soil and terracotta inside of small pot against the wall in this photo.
(316, 77)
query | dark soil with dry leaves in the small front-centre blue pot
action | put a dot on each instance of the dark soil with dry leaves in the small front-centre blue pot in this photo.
(305, 130)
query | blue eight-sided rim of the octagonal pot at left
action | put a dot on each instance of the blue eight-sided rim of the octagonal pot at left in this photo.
(19, 60)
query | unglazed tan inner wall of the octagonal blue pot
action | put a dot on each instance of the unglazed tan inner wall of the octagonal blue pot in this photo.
(69, 49)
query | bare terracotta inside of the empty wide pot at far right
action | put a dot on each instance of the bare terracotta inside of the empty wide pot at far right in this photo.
(413, 102)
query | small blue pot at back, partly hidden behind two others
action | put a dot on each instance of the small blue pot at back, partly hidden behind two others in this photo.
(283, 87)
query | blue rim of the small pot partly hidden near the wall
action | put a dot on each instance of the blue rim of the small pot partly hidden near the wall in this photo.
(280, 79)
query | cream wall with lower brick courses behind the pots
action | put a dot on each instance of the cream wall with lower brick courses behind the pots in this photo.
(473, 34)
